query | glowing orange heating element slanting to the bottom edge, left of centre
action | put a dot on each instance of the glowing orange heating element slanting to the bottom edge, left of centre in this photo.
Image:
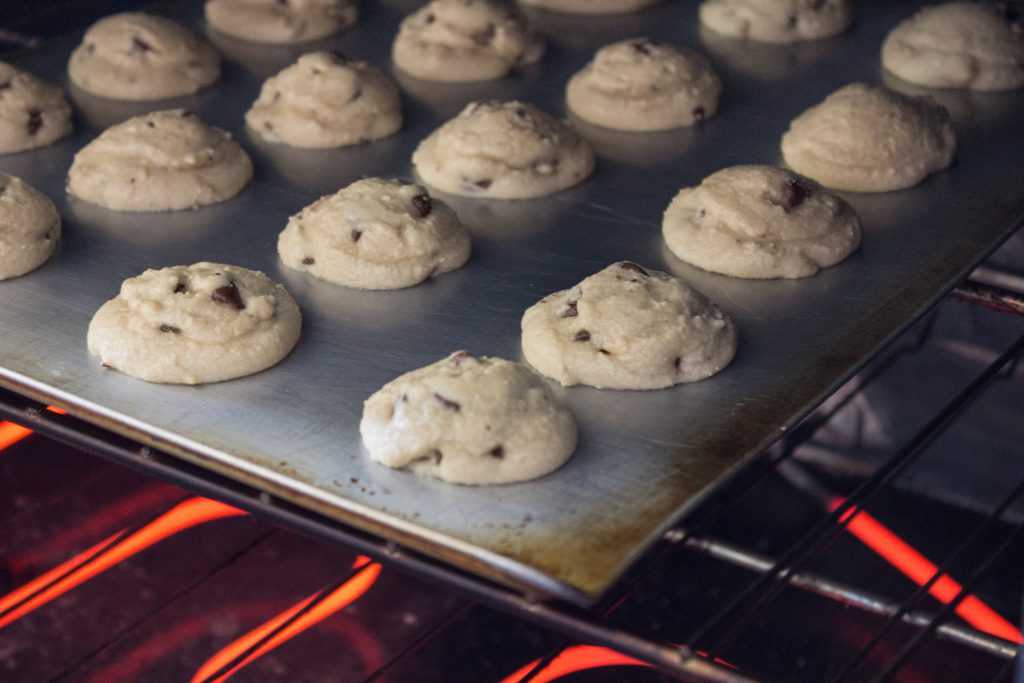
(288, 624)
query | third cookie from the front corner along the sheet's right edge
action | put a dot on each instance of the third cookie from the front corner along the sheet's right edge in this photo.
(759, 222)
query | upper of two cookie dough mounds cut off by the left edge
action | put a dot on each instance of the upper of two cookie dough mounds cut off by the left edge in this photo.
(33, 113)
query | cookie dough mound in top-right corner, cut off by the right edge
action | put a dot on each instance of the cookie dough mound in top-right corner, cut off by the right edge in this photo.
(969, 46)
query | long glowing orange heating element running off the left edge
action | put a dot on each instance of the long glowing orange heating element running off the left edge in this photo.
(56, 583)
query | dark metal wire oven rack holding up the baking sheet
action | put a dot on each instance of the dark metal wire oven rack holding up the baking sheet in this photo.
(698, 659)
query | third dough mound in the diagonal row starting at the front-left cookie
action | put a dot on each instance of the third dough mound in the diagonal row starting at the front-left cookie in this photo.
(504, 151)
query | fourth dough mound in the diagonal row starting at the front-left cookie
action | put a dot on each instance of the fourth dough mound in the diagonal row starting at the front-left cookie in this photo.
(641, 86)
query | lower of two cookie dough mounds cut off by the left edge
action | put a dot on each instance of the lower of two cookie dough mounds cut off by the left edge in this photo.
(30, 228)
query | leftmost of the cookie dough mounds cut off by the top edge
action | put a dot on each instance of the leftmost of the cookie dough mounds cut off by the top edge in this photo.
(281, 22)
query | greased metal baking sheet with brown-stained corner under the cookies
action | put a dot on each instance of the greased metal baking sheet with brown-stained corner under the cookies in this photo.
(645, 457)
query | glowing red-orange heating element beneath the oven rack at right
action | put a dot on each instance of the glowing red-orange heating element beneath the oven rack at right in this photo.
(920, 570)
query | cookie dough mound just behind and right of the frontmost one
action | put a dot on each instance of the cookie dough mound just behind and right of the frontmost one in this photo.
(628, 328)
